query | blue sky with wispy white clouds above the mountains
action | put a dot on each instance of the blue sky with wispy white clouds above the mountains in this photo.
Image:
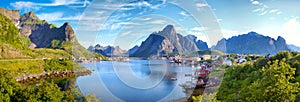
(127, 23)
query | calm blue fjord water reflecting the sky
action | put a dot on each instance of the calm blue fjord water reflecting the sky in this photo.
(134, 81)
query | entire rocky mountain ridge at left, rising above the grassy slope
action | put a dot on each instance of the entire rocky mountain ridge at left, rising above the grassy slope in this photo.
(41, 34)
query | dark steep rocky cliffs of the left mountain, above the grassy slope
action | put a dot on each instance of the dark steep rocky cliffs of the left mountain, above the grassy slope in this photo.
(42, 34)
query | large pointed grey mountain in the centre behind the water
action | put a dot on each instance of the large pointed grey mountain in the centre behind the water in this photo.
(165, 42)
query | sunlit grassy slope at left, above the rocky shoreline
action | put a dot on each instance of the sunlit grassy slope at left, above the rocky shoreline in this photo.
(13, 48)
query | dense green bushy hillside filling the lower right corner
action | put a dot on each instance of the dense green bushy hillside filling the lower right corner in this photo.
(275, 79)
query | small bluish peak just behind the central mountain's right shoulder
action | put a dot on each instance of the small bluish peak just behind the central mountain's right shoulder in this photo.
(199, 43)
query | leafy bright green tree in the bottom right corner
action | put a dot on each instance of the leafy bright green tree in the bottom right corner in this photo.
(274, 85)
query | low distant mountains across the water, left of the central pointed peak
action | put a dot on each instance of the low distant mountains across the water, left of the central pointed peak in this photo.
(108, 51)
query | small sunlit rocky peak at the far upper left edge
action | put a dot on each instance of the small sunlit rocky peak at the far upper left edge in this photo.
(13, 15)
